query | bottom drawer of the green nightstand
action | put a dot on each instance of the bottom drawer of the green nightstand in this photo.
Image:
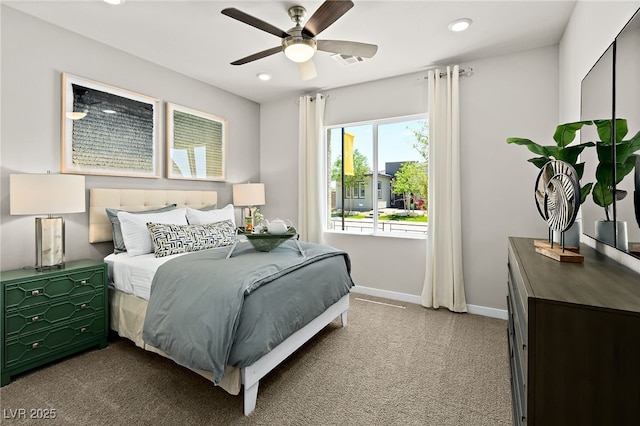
(44, 343)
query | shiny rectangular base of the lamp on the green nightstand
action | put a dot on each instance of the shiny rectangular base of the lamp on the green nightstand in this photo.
(49, 243)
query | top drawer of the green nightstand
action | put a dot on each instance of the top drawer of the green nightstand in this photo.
(46, 289)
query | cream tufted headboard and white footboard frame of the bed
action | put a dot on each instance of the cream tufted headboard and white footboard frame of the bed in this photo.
(137, 199)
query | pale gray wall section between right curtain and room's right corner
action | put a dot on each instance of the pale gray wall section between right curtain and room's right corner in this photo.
(515, 95)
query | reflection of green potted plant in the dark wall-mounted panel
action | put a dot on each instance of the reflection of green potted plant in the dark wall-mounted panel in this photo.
(625, 161)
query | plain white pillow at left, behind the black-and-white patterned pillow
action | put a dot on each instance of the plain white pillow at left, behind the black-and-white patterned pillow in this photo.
(136, 234)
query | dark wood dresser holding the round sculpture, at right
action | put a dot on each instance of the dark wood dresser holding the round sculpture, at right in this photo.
(574, 339)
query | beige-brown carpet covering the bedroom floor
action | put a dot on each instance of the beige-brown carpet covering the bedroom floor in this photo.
(389, 366)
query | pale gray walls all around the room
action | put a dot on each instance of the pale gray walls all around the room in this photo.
(526, 94)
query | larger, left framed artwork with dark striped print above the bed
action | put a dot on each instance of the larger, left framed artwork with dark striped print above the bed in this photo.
(107, 130)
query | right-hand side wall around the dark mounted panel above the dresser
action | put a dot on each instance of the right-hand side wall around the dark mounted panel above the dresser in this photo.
(591, 30)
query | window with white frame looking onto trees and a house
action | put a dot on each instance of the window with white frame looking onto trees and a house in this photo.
(388, 198)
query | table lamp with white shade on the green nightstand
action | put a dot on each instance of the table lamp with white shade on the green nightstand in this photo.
(35, 194)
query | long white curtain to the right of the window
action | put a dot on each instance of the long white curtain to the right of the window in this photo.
(444, 284)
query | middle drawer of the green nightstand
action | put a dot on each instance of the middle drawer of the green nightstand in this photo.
(37, 317)
